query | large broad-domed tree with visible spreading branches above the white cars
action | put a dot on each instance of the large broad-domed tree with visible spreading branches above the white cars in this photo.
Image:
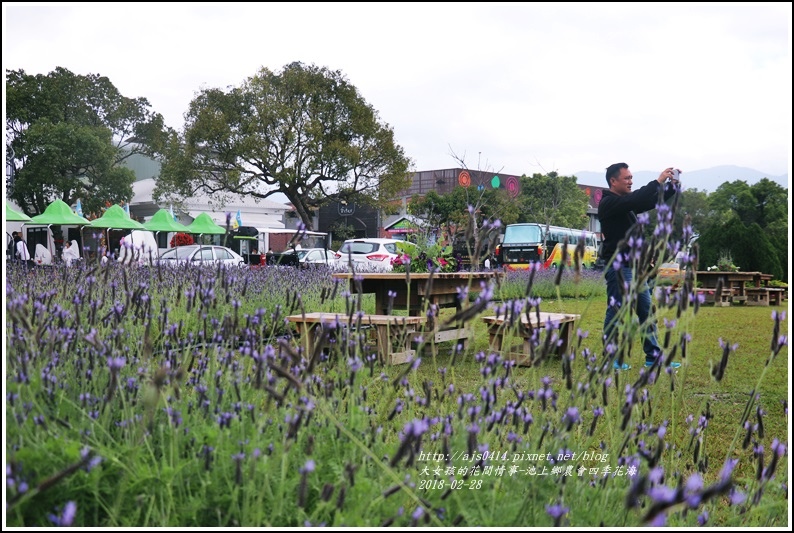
(305, 132)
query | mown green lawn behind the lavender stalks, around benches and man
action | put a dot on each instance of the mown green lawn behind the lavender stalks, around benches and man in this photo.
(692, 390)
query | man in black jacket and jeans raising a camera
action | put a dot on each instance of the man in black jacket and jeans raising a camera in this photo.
(617, 213)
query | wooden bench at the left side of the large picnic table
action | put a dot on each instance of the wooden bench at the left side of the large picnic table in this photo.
(393, 334)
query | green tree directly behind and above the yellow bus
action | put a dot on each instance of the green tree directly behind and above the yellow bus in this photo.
(555, 200)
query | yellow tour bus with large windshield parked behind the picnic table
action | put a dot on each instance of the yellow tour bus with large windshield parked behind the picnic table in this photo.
(528, 243)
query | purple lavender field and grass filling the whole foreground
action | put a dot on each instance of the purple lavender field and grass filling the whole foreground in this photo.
(151, 397)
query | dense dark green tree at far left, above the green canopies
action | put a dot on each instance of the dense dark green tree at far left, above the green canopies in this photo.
(67, 136)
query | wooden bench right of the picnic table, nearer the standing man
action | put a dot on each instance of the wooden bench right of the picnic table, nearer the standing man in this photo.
(499, 328)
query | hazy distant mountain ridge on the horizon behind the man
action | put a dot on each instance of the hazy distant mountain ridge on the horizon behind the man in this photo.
(703, 180)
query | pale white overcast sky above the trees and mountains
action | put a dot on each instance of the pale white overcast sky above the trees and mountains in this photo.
(511, 87)
